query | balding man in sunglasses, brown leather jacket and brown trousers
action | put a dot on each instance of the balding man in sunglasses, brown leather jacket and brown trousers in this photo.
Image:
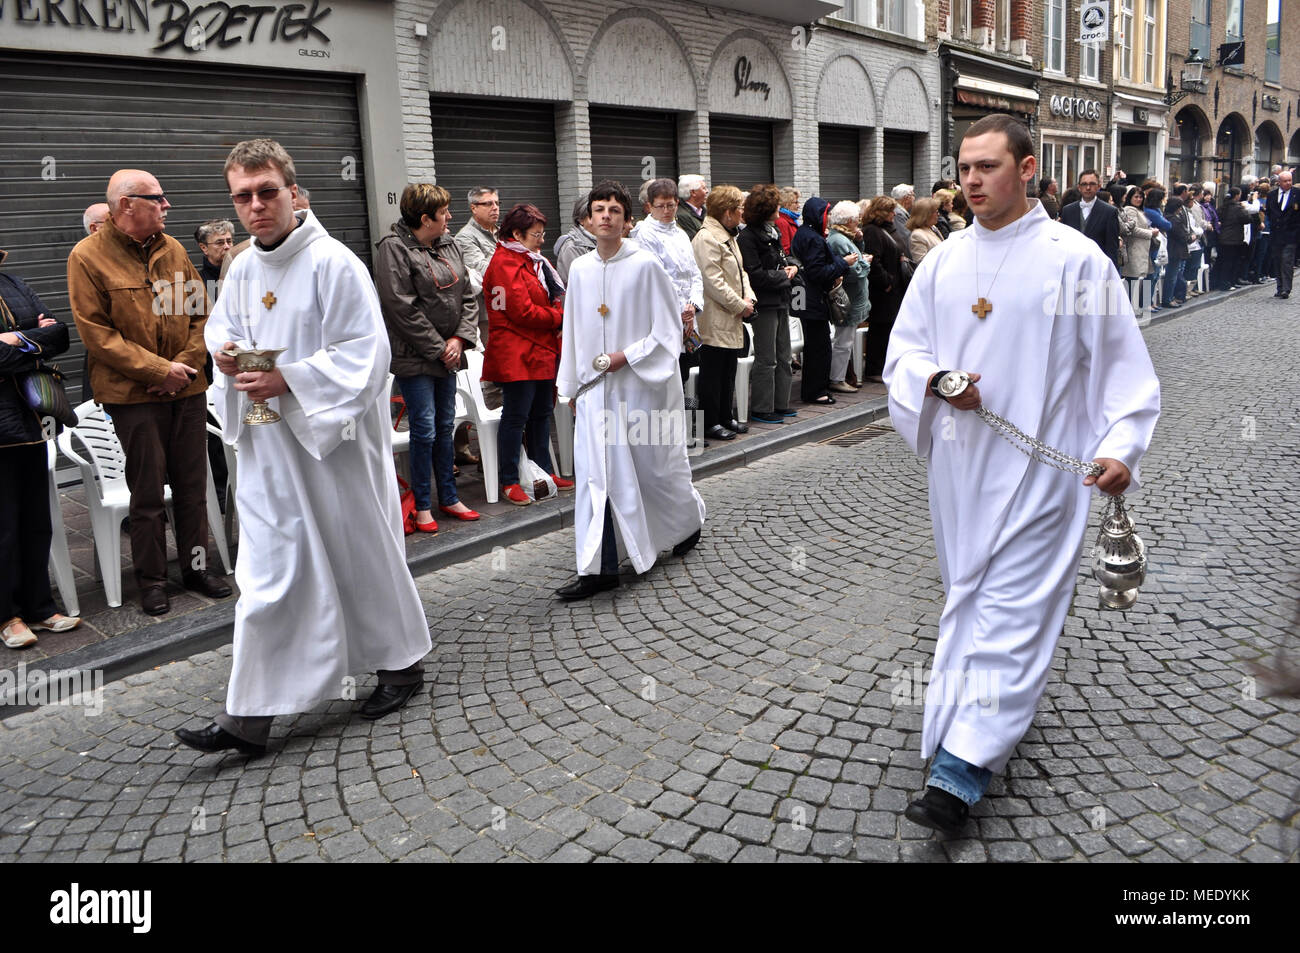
(141, 307)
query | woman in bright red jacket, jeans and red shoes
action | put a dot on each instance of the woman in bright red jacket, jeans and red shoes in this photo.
(526, 311)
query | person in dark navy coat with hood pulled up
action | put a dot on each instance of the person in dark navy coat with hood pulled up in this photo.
(821, 271)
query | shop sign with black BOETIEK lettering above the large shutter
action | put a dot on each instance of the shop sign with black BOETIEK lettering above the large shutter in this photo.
(177, 24)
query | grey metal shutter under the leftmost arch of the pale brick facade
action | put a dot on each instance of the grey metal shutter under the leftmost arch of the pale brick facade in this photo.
(506, 145)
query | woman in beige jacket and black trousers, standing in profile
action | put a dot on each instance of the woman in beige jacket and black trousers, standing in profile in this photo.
(729, 302)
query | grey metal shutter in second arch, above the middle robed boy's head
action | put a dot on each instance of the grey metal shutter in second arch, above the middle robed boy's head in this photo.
(622, 141)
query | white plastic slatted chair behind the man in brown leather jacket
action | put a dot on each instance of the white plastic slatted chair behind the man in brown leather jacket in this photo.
(109, 499)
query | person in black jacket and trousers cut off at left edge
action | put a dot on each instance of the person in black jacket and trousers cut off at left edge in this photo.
(28, 333)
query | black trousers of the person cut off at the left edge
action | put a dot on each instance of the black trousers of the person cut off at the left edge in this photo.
(25, 534)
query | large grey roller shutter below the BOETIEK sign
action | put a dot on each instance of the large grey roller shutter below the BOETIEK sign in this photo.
(71, 122)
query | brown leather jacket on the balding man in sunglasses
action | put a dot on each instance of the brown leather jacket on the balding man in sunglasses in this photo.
(137, 313)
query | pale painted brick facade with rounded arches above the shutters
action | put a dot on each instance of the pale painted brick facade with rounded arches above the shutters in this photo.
(579, 51)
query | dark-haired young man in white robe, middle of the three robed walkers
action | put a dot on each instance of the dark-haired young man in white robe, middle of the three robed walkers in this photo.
(623, 337)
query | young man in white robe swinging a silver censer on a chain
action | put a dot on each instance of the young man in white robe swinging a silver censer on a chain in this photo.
(1033, 313)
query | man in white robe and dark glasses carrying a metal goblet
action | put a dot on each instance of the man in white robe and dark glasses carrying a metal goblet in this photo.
(324, 588)
